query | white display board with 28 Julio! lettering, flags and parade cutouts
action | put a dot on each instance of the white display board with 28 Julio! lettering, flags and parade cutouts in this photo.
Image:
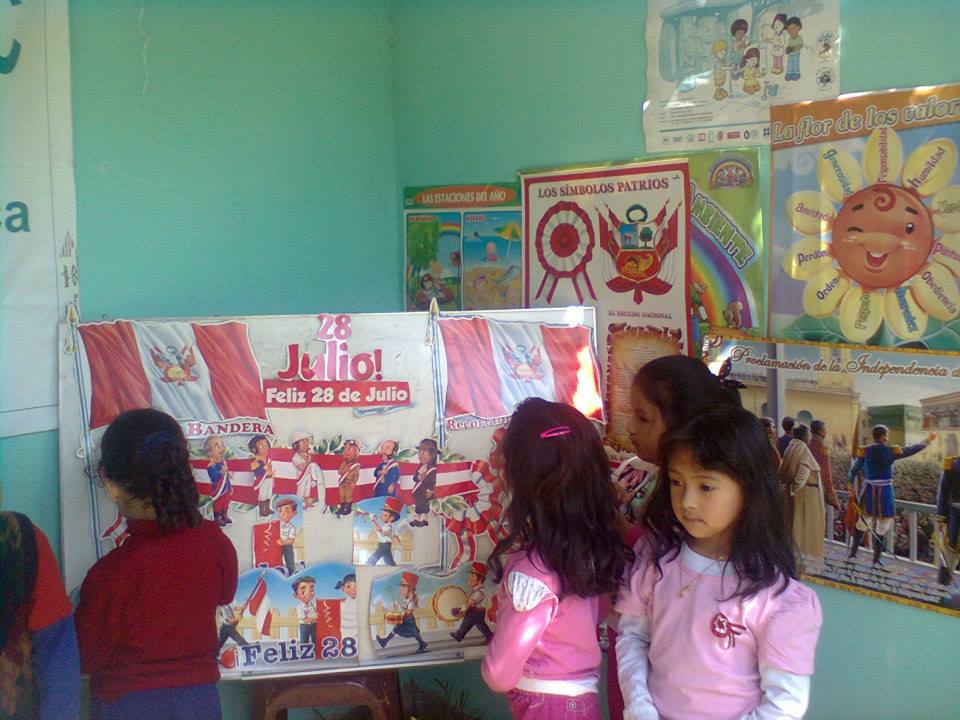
(308, 435)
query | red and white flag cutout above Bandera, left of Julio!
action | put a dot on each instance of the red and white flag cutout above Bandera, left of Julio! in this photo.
(189, 370)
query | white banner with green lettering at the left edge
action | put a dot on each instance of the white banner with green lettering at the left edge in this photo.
(39, 275)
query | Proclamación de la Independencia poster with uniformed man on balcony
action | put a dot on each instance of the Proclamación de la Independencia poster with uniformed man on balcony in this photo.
(855, 529)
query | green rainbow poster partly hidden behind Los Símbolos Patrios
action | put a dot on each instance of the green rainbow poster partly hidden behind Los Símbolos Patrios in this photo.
(728, 258)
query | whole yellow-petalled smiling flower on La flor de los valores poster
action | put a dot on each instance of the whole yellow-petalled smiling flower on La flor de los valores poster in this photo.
(880, 240)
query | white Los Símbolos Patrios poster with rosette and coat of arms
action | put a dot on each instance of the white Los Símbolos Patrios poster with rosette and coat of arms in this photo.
(615, 238)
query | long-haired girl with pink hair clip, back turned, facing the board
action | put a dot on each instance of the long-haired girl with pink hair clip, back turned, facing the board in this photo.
(562, 552)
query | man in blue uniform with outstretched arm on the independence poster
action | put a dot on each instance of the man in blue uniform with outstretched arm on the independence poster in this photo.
(875, 494)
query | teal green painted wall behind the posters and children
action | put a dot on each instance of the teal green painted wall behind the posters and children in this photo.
(260, 173)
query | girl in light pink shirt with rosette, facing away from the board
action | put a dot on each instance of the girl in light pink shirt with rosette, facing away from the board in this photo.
(714, 623)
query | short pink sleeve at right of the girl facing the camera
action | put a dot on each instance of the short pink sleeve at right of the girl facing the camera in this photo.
(787, 639)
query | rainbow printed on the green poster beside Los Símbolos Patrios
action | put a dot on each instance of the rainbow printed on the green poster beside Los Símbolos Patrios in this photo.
(712, 267)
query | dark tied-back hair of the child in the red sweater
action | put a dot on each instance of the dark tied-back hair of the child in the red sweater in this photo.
(145, 453)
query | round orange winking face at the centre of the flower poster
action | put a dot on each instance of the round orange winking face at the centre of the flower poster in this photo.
(882, 236)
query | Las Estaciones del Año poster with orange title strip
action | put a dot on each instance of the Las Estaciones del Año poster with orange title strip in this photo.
(463, 246)
